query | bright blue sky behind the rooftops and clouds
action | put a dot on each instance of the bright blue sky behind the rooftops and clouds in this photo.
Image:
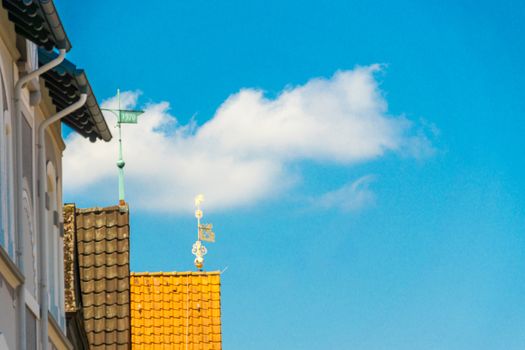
(426, 251)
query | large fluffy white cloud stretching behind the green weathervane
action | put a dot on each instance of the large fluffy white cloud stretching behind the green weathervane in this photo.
(242, 154)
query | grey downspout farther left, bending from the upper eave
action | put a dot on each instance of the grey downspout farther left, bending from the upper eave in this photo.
(19, 188)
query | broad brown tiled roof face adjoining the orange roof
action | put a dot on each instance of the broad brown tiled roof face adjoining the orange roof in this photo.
(103, 250)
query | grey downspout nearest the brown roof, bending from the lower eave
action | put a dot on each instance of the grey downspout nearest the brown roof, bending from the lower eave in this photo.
(42, 189)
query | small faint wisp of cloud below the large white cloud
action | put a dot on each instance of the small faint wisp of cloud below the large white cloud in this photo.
(352, 196)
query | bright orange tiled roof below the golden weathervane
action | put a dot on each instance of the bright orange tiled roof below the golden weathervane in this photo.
(172, 309)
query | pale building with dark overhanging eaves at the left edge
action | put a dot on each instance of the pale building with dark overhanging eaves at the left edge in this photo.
(31, 224)
